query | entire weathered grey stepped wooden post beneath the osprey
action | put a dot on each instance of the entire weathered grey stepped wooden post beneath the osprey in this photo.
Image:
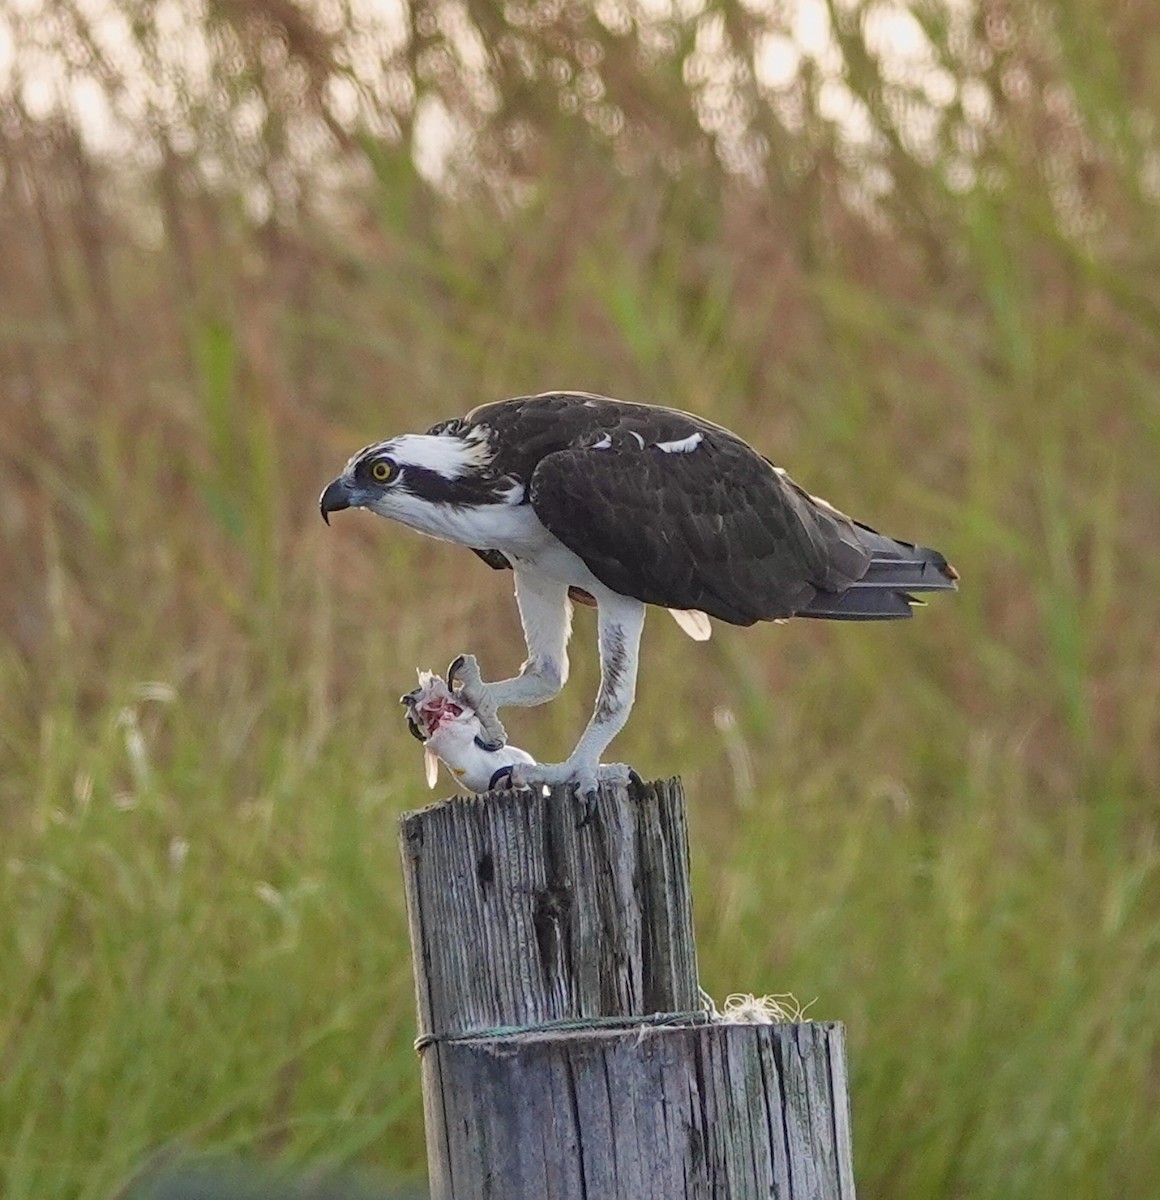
(567, 1053)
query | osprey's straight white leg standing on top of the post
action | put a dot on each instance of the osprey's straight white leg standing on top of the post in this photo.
(620, 625)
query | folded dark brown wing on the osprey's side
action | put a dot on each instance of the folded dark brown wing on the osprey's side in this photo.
(717, 530)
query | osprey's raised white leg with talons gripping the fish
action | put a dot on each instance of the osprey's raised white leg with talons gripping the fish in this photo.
(546, 615)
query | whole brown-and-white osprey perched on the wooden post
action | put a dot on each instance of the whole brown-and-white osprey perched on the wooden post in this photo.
(624, 506)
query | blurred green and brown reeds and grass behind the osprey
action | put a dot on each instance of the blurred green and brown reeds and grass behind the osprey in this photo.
(911, 250)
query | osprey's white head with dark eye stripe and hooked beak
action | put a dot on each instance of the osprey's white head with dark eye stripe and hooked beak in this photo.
(412, 473)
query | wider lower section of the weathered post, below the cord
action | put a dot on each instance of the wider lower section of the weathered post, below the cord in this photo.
(724, 1112)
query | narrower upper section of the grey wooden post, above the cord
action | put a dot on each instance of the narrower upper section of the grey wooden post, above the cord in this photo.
(519, 917)
